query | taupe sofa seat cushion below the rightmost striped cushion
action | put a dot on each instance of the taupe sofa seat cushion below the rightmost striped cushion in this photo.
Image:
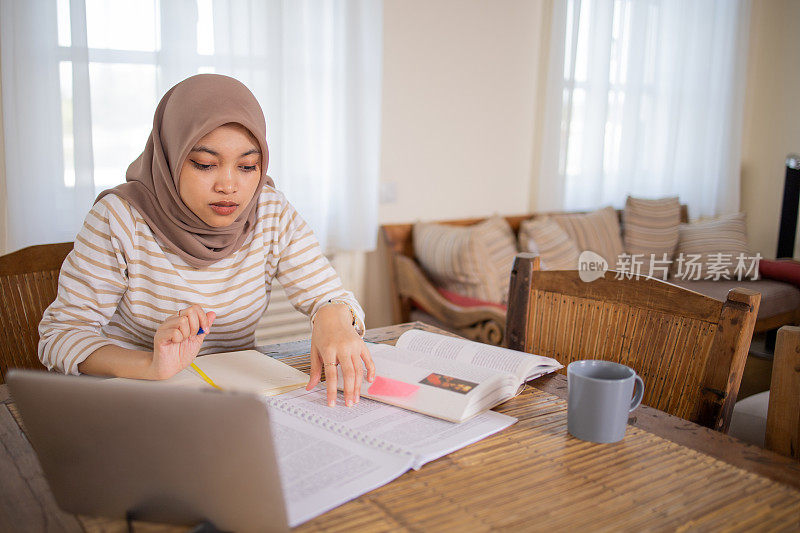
(776, 296)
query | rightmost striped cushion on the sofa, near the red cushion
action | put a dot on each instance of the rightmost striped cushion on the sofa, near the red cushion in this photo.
(724, 235)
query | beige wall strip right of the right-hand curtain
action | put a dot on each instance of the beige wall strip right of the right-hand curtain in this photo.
(772, 117)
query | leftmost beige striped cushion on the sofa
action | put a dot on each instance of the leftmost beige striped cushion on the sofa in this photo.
(473, 261)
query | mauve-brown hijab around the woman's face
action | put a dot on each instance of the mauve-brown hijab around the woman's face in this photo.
(188, 112)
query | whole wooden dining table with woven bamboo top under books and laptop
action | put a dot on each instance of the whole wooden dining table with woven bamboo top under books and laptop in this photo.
(666, 474)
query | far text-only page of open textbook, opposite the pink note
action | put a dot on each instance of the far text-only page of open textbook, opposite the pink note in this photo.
(523, 365)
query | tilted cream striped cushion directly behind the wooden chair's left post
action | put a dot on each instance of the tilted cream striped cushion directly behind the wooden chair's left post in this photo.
(556, 250)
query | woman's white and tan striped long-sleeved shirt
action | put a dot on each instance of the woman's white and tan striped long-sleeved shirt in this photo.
(120, 283)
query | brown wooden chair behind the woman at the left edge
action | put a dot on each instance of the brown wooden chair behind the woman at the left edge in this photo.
(28, 284)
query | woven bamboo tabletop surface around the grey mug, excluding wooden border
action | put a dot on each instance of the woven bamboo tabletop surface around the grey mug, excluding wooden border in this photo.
(534, 476)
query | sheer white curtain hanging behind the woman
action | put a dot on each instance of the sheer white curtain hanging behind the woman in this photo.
(81, 79)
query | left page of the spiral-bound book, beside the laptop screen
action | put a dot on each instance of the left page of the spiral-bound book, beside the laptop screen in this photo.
(320, 470)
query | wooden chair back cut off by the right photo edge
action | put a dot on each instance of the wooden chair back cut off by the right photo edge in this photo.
(783, 415)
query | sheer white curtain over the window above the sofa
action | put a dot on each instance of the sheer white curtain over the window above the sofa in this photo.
(644, 97)
